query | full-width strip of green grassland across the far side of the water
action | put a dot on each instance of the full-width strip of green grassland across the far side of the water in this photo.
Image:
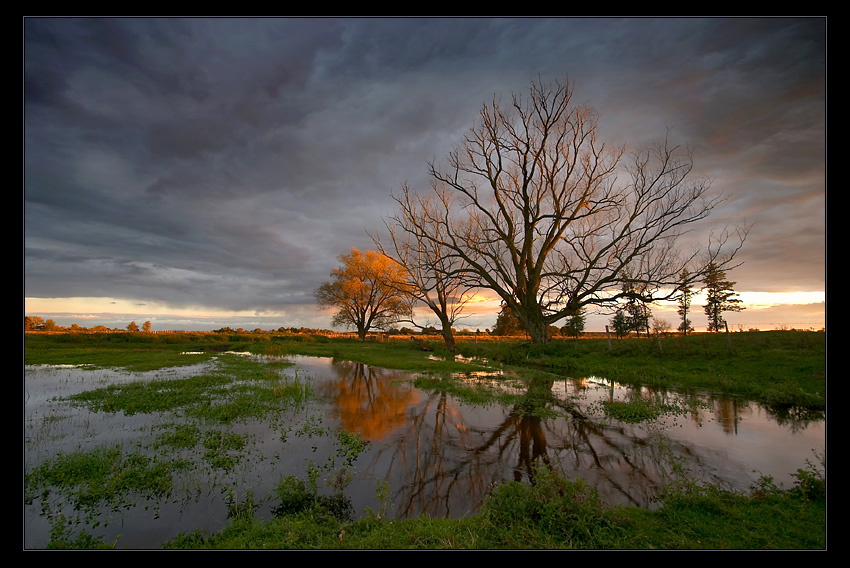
(782, 369)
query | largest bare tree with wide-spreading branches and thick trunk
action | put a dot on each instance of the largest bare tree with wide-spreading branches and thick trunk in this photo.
(553, 220)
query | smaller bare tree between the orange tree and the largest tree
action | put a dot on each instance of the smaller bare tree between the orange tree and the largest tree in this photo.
(435, 276)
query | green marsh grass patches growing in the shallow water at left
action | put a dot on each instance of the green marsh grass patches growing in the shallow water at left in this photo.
(238, 390)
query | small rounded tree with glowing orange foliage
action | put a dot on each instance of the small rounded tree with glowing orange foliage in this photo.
(364, 292)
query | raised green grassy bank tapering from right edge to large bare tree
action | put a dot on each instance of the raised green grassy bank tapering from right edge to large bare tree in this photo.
(782, 369)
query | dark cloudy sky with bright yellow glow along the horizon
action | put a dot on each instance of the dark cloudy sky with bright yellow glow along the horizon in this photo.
(206, 173)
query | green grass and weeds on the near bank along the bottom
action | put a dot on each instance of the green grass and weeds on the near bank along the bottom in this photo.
(553, 513)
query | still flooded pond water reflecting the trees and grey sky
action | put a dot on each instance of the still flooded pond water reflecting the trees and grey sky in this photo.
(435, 454)
